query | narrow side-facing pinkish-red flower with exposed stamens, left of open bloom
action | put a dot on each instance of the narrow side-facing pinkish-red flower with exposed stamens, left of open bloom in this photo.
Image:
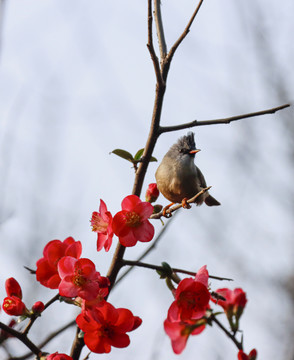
(102, 224)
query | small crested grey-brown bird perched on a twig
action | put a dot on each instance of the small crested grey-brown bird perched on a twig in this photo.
(178, 178)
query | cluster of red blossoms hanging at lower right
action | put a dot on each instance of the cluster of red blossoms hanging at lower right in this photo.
(190, 311)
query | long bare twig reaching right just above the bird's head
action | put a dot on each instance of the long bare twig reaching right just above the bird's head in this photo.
(227, 120)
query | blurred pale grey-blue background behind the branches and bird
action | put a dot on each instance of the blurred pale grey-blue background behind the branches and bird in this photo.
(76, 82)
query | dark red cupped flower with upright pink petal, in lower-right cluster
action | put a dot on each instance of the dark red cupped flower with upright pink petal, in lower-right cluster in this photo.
(192, 296)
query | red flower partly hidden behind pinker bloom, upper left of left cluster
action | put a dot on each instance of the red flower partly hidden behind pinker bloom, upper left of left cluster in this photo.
(47, 273)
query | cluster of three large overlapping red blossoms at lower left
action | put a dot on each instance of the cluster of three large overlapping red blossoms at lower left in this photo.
(78, 281)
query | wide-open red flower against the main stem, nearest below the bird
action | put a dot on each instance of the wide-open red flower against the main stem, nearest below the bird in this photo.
(131, 224)
